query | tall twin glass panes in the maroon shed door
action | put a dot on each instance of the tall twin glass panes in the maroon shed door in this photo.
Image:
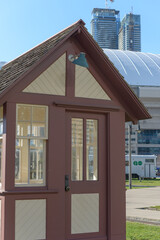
(89, 146)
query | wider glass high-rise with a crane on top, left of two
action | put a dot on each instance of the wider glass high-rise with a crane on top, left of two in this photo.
(105, 26)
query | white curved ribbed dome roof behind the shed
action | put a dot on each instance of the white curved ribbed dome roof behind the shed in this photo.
(137, 68)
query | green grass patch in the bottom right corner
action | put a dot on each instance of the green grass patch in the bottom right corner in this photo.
(139, 231)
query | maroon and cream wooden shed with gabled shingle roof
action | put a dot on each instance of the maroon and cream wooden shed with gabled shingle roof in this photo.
(62, 142)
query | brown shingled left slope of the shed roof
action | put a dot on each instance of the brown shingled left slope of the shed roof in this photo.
(14, 69)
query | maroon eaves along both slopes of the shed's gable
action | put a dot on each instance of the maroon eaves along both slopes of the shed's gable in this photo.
(116, 82)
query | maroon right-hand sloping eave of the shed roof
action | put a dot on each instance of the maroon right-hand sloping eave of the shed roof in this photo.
(117, 80)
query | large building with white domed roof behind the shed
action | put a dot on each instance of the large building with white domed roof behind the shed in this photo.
(142, 71)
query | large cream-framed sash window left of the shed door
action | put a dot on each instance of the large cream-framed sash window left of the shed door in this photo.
(31, 136)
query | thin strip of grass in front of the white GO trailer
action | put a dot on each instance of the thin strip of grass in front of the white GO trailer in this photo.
(145, 182)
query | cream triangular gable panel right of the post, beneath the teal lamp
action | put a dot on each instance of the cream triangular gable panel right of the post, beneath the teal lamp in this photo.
(87, 86)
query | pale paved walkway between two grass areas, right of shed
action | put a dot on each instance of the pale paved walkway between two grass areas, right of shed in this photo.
(137, 199)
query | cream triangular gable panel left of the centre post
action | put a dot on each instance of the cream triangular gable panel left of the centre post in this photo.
(52, 81)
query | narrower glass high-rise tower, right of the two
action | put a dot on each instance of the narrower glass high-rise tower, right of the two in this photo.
(130, 33)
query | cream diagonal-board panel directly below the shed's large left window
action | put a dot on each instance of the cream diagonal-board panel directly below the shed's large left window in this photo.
(30, 219)
